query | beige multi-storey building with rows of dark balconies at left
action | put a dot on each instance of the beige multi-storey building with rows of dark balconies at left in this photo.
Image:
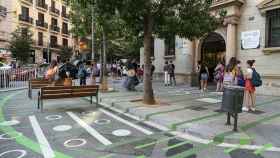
(47, 19)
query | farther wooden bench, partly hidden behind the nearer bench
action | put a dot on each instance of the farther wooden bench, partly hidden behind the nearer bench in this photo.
(36, 84)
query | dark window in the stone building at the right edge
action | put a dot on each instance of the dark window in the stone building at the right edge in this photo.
(273, 28)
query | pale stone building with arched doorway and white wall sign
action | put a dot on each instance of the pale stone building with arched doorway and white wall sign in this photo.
(251, 30)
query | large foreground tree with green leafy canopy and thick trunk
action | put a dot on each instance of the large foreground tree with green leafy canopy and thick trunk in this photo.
(159, 18)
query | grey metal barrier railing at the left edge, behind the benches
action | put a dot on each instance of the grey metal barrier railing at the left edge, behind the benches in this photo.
(16, 78)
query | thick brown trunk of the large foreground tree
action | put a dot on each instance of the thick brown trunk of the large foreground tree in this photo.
(148, 87)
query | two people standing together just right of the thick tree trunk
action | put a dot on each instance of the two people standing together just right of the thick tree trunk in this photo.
(169, 74)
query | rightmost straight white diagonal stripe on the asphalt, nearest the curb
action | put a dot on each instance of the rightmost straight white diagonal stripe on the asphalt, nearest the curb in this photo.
(143, 130)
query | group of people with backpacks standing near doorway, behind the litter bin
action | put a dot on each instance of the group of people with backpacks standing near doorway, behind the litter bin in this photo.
(233, 75)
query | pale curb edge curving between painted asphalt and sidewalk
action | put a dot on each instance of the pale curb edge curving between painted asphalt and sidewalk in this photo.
(185, 135)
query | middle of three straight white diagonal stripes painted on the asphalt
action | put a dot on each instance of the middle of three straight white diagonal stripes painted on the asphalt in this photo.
(90, 130)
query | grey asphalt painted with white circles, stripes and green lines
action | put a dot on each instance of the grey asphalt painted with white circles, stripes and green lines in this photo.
(73, 128)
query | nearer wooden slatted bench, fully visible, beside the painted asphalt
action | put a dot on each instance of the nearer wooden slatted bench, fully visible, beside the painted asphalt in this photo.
(61, 92)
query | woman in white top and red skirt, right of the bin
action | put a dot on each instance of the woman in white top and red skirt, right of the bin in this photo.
(249, 91)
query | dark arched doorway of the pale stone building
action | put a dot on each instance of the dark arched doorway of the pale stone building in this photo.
(213, 50)
